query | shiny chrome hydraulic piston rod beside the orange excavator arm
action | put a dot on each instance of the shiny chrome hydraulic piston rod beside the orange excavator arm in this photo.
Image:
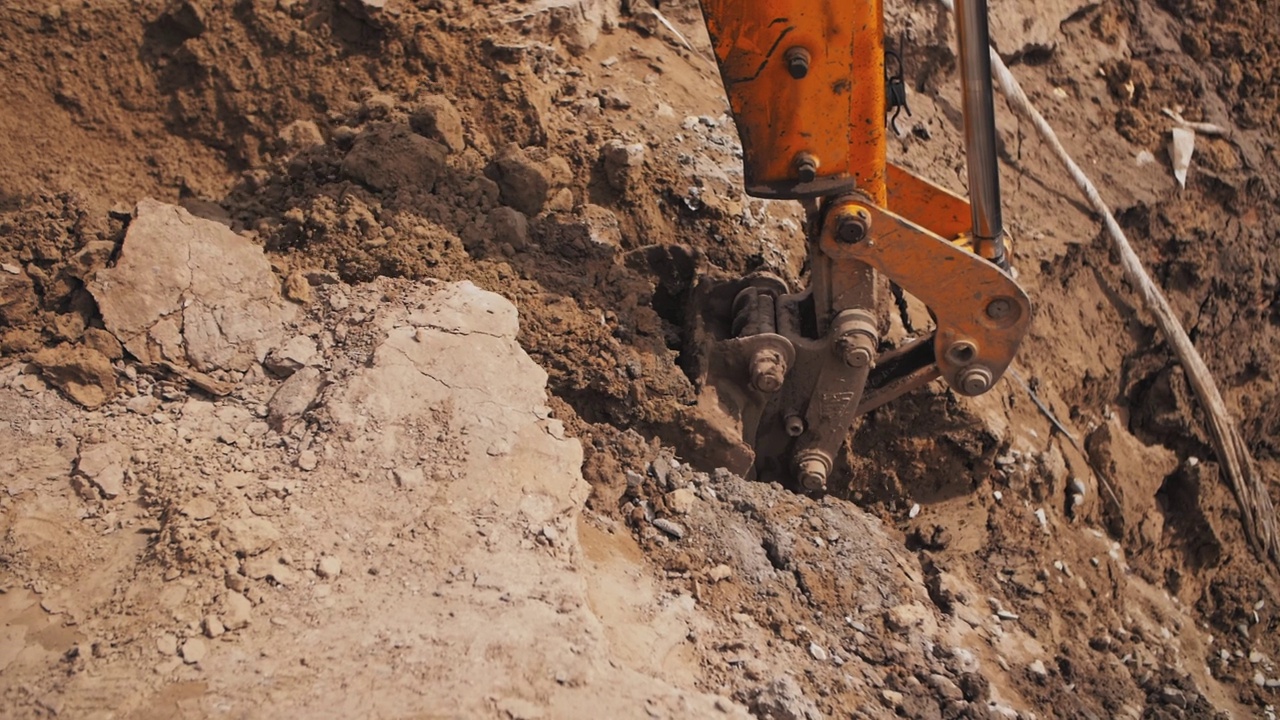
(980, 120)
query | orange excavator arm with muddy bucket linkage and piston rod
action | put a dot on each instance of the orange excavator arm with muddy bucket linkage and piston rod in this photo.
(790, 372)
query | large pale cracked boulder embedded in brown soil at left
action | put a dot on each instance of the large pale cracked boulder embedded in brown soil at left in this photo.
(191, 293)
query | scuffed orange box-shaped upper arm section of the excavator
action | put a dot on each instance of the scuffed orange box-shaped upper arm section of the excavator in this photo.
(836, 113)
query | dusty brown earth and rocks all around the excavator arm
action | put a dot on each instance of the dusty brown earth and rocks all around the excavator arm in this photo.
(341, 377)
